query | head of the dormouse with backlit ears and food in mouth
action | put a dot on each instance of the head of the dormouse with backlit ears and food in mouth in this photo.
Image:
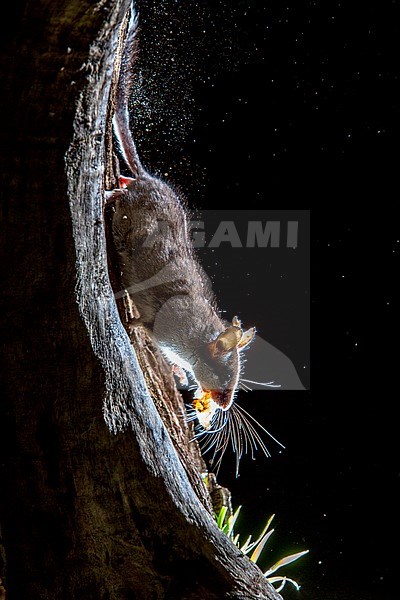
(219, 370)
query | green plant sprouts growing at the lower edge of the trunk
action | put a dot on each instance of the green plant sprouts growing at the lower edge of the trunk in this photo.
(255, 549)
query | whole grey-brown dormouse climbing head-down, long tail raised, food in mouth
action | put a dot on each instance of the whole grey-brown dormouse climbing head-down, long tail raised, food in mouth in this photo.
(162, 275)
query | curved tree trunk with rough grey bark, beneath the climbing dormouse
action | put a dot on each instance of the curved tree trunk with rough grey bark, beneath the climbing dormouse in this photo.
(96, 500)
